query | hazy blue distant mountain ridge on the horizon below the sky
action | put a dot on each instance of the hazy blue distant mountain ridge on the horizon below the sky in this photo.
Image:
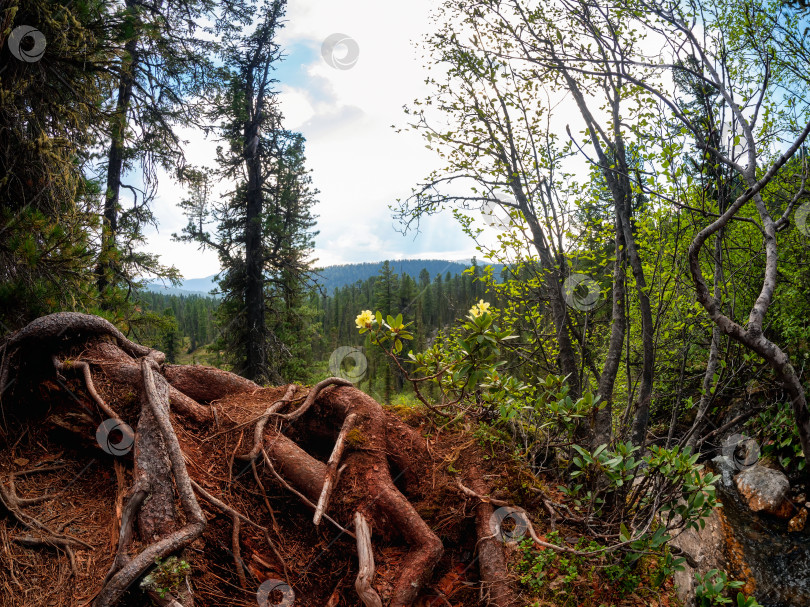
(335, 277)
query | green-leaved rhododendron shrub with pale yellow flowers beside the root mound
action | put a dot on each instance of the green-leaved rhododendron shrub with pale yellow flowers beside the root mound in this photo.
(638, 502)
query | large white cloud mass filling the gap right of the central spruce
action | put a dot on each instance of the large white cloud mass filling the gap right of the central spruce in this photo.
(359, 163)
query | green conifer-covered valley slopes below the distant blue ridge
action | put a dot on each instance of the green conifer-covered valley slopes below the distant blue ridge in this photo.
(188, 323)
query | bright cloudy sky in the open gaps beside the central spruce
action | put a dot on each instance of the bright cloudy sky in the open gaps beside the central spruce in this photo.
(358, 162)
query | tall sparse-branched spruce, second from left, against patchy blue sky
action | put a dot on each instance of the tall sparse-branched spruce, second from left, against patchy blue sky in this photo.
(163, 62)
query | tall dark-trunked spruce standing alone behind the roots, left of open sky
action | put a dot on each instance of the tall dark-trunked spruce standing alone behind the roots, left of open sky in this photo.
(263, 225)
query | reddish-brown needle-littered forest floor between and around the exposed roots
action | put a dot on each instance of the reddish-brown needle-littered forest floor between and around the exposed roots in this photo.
(75, 490)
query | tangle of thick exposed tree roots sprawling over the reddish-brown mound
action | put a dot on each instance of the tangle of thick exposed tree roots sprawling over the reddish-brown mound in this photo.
(200, 431)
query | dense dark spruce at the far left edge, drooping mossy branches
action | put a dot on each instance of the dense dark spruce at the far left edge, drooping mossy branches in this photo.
(51, 104)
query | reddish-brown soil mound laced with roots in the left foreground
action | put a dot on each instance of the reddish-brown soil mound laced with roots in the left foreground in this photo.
(428, 546)
